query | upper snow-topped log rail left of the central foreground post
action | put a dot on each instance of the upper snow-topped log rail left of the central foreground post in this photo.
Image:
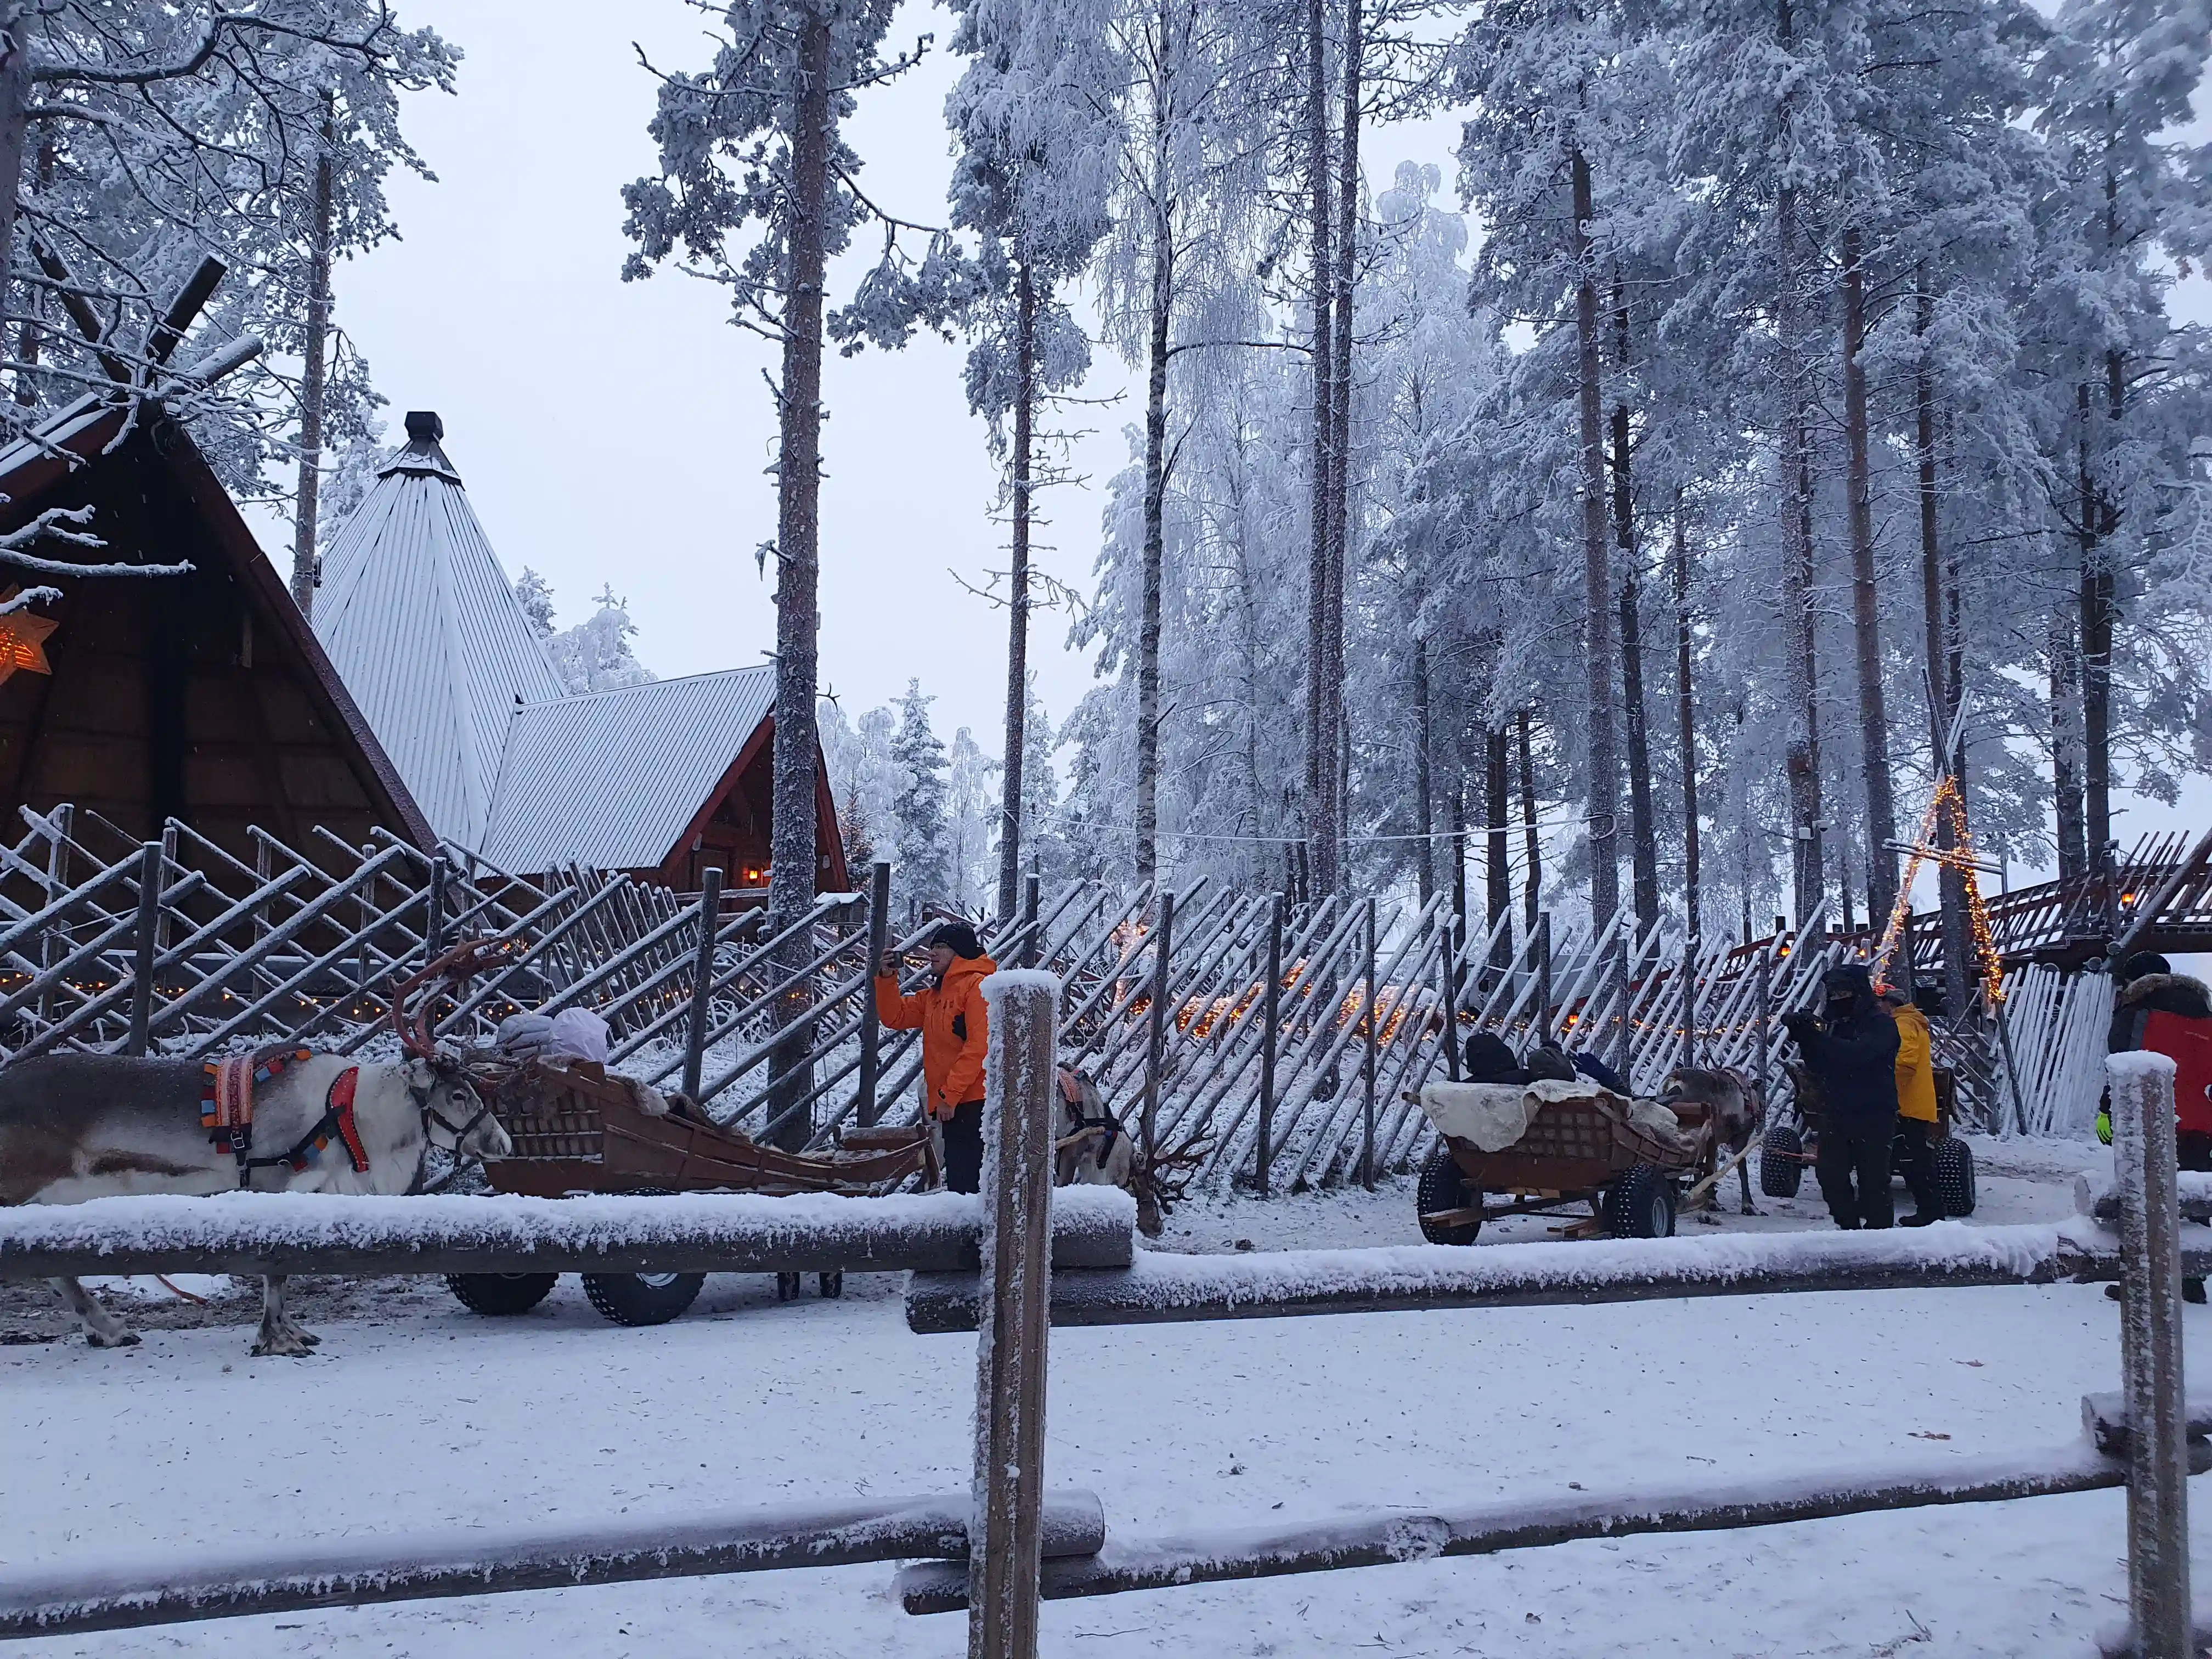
(304, 1233)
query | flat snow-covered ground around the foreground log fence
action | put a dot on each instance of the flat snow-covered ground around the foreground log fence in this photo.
(421, 1417)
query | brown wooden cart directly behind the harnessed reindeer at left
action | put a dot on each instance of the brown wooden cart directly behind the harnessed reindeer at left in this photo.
(576, 1129)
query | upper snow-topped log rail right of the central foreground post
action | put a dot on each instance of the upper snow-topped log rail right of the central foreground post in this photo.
(1169, 1288)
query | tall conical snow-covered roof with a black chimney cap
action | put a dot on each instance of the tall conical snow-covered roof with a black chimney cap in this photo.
(428, 636)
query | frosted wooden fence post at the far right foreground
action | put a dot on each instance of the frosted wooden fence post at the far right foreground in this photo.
(2151, 1355)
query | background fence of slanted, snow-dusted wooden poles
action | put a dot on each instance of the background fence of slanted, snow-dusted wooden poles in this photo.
(1273, 1081)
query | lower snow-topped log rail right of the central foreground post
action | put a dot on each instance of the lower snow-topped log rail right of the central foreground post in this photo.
(1388, 1536)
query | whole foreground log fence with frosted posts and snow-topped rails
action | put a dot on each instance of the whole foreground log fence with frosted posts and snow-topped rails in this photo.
(2149, 1439)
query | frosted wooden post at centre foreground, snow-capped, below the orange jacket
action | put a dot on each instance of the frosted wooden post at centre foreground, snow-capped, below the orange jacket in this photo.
(1008, 1521)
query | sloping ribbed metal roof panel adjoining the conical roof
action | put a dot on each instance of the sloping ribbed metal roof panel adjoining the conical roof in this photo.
(612, 780)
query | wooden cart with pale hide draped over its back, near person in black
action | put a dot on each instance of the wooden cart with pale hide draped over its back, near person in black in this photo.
(1578, 1154)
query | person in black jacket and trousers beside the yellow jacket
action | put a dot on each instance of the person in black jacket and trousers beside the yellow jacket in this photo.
(1853, 1052)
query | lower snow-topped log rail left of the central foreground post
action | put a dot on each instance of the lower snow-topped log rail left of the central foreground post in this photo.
(118, 1596)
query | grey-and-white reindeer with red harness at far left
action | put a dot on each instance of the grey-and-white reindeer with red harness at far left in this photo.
(94, 1127)
